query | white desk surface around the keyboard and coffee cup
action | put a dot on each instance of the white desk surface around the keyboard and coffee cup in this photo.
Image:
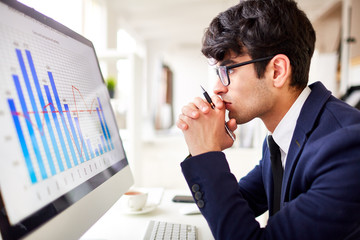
(116, 224)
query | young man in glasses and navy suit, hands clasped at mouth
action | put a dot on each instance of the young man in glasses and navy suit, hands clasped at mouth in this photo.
(262, 50)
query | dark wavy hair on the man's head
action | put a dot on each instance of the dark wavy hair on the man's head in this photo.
(263, 28)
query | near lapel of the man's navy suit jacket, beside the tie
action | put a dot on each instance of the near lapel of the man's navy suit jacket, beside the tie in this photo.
(305, 124)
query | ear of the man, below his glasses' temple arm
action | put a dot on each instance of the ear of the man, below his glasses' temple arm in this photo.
(281, 70)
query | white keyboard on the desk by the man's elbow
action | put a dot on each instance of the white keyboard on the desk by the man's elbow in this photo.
(169, 231)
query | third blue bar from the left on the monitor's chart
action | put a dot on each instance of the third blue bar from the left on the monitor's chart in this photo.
(33, 104)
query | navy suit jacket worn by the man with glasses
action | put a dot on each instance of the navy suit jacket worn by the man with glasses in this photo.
(321, 184)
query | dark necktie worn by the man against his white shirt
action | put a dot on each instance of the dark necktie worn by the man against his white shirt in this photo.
(277, 171)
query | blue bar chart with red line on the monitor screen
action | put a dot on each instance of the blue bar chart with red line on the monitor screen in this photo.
(51, 132)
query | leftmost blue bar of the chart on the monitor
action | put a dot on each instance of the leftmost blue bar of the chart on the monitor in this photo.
(22, 141)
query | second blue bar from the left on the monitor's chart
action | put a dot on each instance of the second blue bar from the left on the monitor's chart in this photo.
(30, 127)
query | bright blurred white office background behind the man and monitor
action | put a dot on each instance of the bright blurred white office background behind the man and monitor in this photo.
(151, 51)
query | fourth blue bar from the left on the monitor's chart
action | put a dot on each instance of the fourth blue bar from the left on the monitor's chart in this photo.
(44, 111)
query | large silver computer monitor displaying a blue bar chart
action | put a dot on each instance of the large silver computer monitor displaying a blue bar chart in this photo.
(62, 162)
